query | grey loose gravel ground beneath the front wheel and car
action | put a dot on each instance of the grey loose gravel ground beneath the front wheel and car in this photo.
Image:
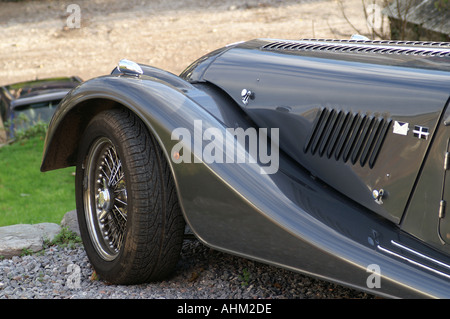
(202, 273)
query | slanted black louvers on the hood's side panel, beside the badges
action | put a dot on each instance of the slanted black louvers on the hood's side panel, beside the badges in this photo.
(347, 136)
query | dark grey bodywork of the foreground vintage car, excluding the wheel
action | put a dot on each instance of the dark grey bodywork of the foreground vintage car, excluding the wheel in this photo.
(363, 160)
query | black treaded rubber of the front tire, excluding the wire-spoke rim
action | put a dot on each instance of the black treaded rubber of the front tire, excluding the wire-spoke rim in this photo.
(153, 242)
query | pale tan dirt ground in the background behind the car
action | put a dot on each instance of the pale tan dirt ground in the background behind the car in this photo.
(35, 41)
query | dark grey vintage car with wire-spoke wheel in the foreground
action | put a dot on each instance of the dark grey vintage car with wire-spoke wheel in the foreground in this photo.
(326, 157)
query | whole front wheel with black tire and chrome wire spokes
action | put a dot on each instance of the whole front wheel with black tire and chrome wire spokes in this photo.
(130, 221)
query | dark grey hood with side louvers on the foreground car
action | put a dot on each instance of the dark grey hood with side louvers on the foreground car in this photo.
(311, 90)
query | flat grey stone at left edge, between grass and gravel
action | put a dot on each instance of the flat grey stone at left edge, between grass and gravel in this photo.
(16, 239)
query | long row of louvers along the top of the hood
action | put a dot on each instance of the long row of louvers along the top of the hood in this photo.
(414, 48)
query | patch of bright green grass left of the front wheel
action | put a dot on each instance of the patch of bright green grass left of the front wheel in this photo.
(28, 196)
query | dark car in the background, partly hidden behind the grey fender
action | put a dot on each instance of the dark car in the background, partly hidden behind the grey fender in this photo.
(24, 104)
